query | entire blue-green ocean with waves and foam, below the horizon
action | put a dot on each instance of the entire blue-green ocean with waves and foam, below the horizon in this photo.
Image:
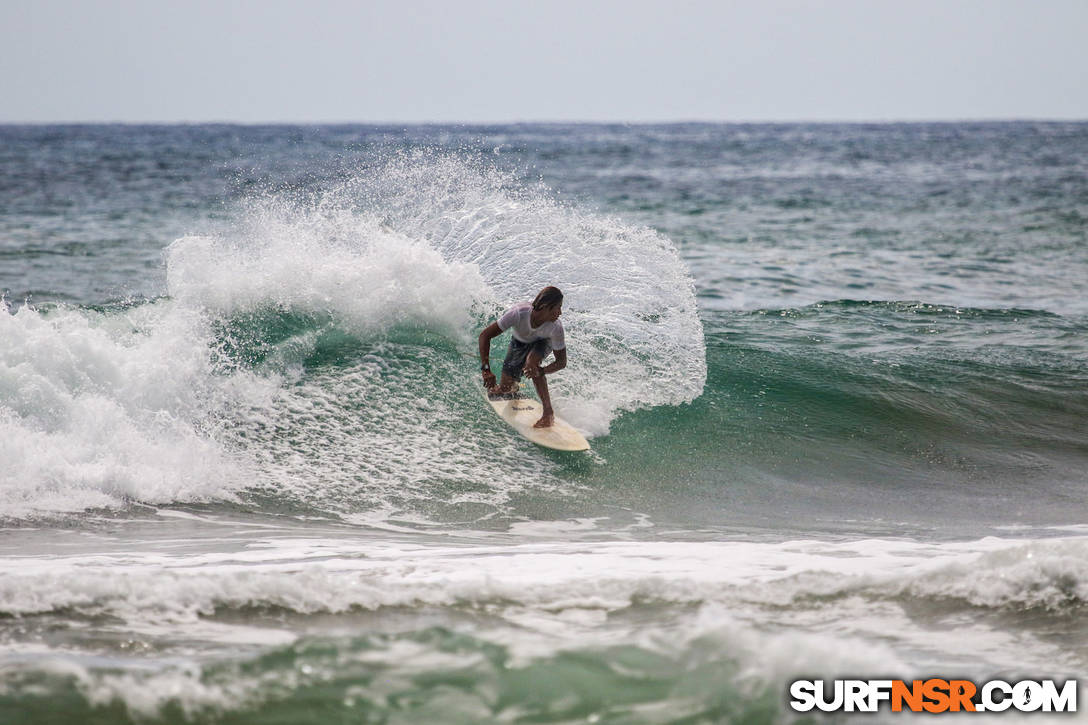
(835, 378)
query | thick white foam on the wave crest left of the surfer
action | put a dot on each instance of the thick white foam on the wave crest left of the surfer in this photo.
(330, 262)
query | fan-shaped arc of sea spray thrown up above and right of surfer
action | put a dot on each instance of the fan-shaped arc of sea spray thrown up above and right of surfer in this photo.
(635, 335)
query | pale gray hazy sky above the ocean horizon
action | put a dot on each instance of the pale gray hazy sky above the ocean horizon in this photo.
(542, 60)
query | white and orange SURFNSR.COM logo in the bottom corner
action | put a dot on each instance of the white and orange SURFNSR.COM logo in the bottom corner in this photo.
(933, 695)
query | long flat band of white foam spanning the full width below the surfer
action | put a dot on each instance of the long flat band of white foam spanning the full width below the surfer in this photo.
(311, 576)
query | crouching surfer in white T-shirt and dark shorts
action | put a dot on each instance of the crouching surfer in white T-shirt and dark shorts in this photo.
(536, 331)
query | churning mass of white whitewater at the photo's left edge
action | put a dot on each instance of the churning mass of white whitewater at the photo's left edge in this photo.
(97, 410)
